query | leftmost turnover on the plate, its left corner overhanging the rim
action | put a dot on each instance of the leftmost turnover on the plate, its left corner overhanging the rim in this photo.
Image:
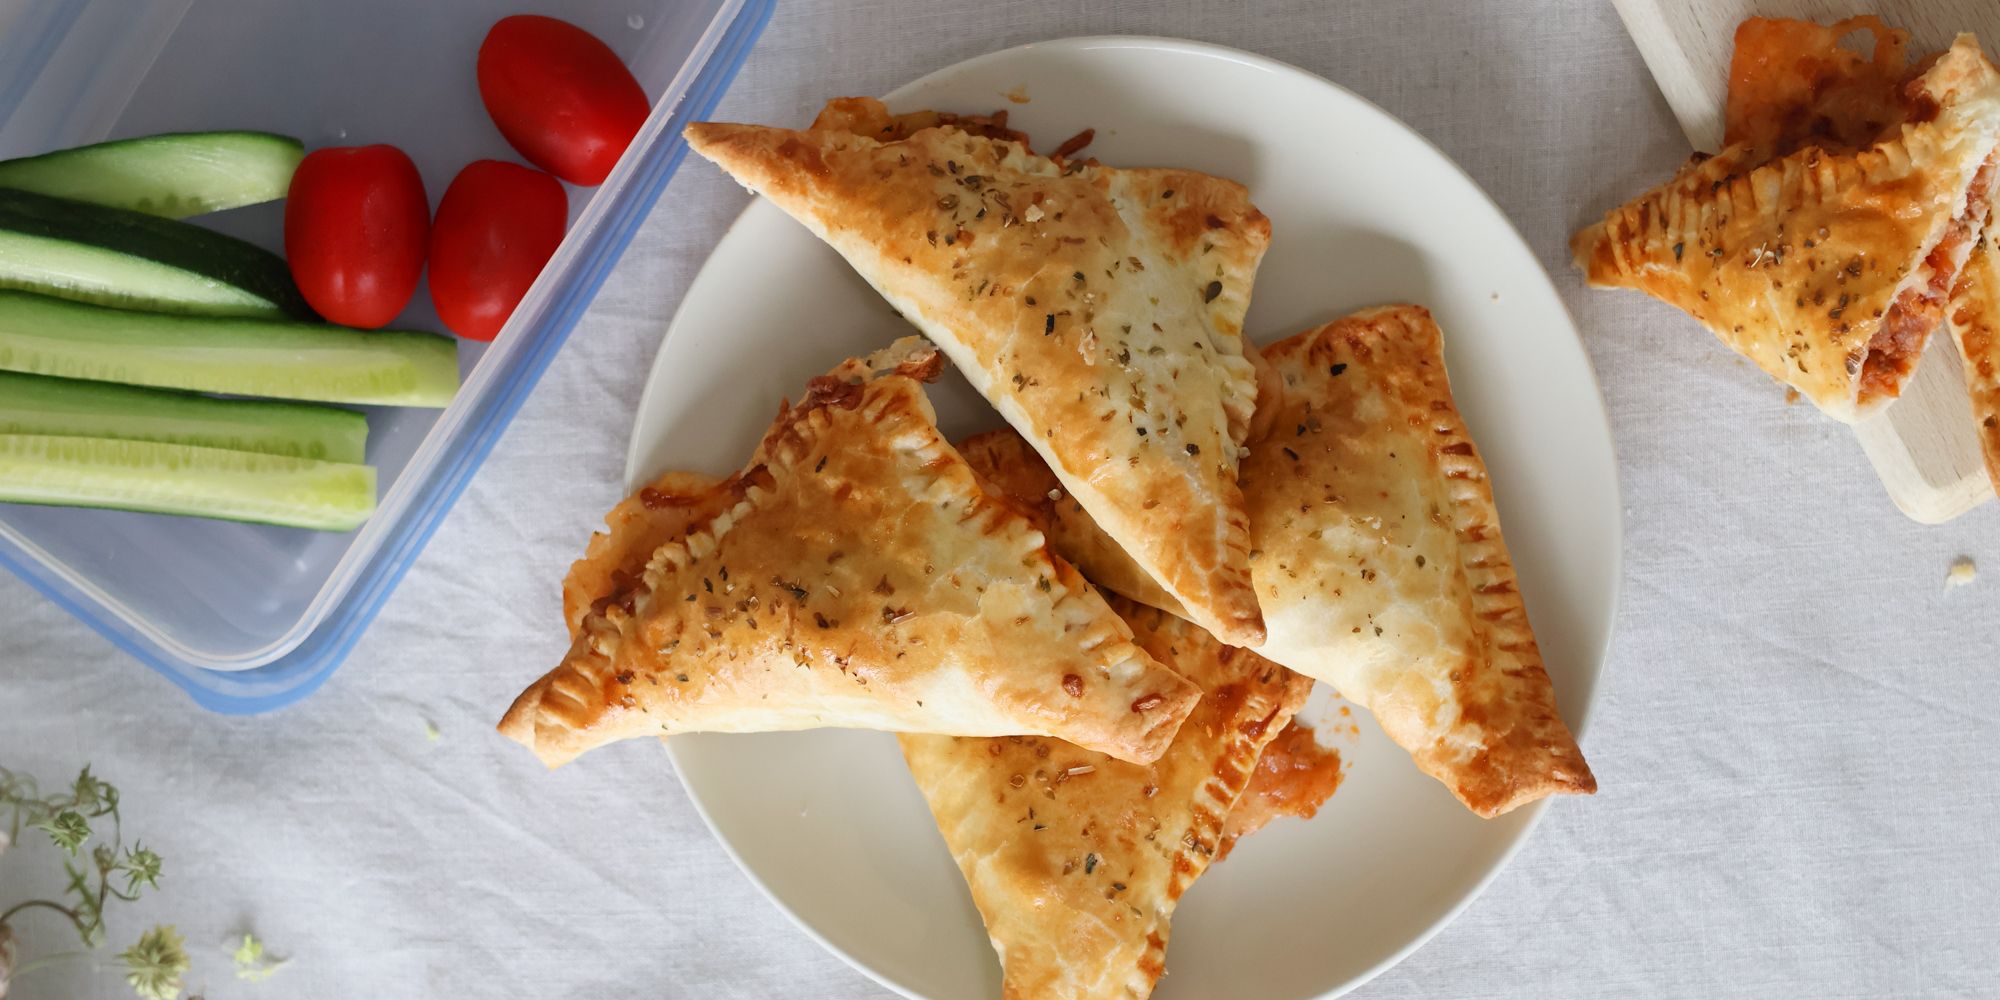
(855, 577)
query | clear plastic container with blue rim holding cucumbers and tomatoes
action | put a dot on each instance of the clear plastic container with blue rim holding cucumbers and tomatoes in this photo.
(243, 617)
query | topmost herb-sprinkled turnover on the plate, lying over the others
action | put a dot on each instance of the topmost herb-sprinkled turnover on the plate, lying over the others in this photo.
(1097, 309)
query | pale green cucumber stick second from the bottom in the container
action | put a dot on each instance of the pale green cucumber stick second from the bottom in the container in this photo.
(63, 407)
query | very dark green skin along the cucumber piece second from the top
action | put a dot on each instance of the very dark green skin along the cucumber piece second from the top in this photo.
(167, 243)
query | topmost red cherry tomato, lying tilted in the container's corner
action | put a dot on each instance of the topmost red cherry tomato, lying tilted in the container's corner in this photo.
(561, 97)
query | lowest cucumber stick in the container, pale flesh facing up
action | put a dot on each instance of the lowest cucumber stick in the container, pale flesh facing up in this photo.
(179, 479)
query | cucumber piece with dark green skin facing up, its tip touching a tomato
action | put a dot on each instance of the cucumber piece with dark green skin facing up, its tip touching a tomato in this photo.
(133, 261)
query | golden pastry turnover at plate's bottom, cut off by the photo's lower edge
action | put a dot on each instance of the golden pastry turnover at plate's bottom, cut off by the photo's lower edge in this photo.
(1077, 861)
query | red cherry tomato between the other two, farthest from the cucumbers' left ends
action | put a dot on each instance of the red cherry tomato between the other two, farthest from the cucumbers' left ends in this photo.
(497, 227)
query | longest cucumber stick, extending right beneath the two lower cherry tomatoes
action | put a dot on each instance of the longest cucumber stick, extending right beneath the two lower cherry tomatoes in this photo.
(289, 361)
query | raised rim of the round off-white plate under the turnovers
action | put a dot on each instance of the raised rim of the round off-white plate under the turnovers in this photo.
(1185, 47)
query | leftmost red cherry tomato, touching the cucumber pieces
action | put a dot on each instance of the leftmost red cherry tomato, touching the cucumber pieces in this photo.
(357, 225)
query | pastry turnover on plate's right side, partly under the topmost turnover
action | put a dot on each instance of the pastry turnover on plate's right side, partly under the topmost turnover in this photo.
(1379, 559)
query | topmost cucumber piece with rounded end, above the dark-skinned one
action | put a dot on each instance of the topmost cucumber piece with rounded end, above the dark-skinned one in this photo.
(175, 175)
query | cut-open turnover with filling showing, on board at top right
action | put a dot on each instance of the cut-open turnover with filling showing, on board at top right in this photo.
(1827, 237)
